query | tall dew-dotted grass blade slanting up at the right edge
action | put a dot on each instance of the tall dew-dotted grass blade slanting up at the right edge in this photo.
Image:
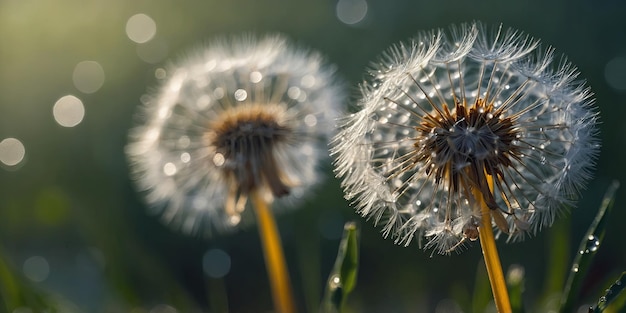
(587, 250)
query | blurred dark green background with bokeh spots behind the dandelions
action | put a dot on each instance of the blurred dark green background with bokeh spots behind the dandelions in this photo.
(74, 232)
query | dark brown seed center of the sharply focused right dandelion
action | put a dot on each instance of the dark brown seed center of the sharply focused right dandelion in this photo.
(465, 145)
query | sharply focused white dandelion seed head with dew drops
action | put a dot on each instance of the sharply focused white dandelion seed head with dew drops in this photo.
(446, 112)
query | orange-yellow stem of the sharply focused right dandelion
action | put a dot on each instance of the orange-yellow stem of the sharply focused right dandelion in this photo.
(490, 254)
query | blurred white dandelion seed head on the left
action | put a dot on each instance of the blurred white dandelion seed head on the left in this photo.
(241, 114)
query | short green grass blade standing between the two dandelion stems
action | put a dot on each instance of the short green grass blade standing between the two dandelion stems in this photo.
(342, 279)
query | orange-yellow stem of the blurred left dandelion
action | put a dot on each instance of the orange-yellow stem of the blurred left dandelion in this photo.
(274, 257)
